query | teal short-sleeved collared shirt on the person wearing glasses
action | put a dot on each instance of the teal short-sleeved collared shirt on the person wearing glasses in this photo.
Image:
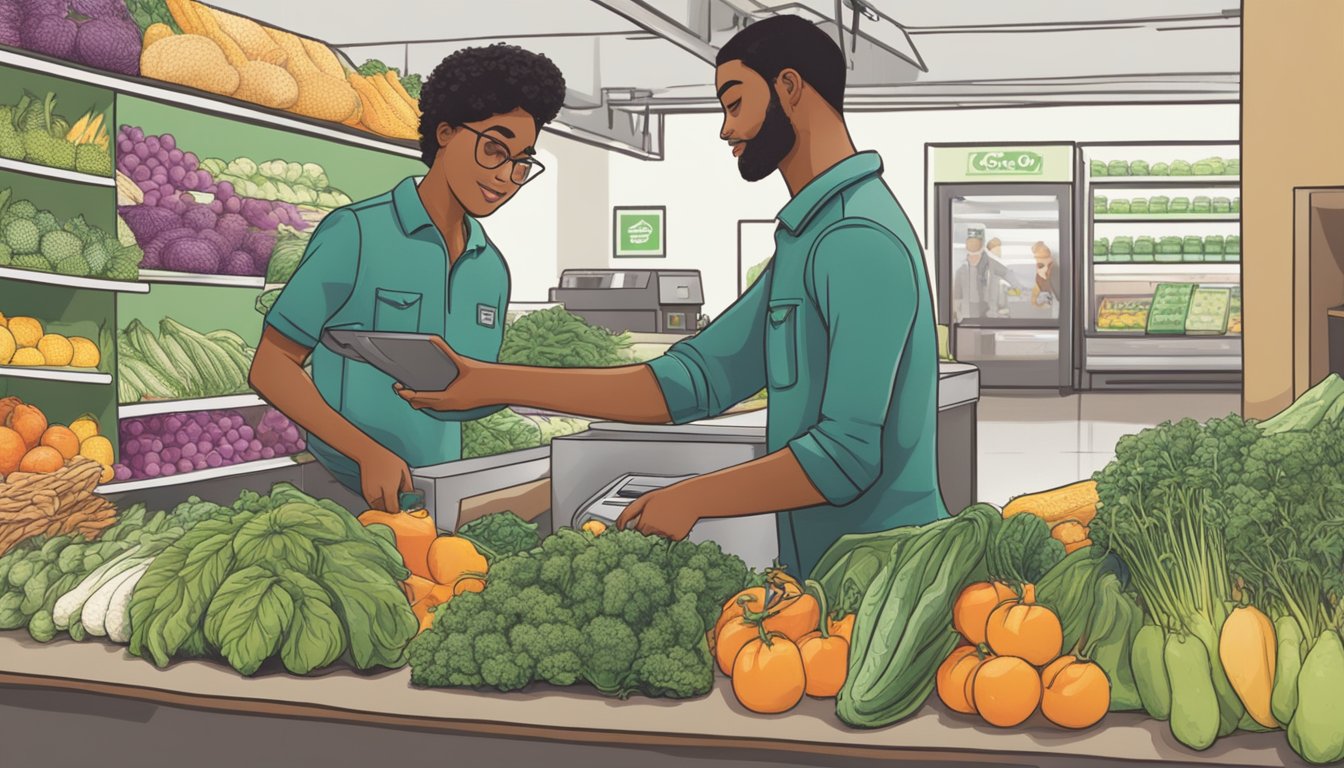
(382, 266)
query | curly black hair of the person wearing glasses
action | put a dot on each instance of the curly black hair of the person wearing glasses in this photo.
(480, 83)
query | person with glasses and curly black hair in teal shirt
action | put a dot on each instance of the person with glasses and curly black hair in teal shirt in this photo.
(413, 260)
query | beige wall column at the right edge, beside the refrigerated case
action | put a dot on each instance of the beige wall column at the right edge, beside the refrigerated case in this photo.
(1292, 138)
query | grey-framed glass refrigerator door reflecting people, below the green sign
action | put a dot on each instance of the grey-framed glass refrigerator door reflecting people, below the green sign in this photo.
(1006, 282)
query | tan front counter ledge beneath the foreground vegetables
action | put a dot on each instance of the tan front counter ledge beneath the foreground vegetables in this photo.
(716, 726)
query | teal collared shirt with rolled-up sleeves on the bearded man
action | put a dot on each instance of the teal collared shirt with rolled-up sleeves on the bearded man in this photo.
(841, 330)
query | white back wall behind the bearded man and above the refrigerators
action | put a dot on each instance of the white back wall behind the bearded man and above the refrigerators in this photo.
(698, 180)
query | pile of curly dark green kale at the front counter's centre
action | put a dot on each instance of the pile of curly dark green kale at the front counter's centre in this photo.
(623, 613)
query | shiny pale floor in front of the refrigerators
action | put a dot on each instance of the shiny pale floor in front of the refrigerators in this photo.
(1030, 443)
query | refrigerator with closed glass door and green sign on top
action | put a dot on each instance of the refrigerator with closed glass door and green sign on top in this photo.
(1009, 309)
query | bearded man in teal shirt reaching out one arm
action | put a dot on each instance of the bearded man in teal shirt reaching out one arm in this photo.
(839, 329)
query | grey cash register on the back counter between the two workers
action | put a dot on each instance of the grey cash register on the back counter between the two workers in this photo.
(635, 301)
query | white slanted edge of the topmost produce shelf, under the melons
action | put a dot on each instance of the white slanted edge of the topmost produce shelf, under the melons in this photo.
(200, 102)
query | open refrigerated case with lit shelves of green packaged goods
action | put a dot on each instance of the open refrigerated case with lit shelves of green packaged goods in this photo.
(1159, 216)
